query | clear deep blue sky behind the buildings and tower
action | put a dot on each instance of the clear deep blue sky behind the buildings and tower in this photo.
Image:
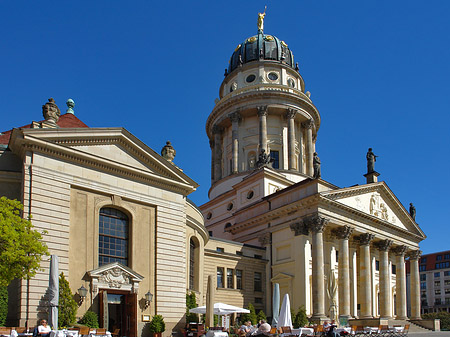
(378, 71)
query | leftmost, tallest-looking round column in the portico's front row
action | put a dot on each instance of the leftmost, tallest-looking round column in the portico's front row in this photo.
(317, 225)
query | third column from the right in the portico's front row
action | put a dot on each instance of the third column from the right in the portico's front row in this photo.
(384, 279)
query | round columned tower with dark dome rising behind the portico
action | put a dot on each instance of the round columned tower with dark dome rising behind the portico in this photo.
(263, 109)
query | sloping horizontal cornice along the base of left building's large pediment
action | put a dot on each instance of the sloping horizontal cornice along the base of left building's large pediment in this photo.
(88, 160)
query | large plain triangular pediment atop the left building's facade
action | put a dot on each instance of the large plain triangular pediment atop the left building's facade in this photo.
(108, 149)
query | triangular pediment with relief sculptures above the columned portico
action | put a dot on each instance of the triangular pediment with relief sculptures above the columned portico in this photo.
(377, 201)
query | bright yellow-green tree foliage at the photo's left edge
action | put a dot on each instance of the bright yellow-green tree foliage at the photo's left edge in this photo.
(21, 247)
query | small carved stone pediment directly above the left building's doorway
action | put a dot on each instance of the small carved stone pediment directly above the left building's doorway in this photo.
(115, 276)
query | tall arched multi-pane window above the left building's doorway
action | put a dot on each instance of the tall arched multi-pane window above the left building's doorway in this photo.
(113, 237)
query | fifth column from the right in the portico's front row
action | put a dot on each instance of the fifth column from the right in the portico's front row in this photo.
(344, 233)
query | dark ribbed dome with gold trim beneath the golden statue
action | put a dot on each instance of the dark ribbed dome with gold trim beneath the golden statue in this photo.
(261, 47)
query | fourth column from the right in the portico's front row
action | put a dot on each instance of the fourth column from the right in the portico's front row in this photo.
(364, 275)
